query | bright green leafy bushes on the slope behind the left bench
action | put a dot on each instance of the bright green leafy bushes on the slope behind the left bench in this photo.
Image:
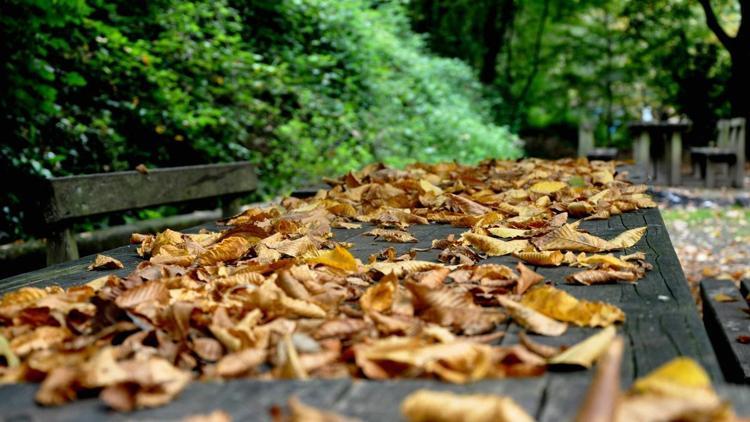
(301, 88)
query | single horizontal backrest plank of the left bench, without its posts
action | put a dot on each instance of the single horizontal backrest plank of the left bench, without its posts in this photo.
(80, 196)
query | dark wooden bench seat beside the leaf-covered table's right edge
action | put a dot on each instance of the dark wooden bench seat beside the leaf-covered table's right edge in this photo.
(728, 324)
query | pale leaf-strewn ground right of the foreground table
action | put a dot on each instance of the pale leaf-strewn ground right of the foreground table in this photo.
(710, 230)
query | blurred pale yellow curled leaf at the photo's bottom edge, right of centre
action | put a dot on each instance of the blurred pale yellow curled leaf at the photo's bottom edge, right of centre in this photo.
(439, 406)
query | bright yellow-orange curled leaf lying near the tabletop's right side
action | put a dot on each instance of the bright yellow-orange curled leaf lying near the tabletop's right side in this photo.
(562, 306)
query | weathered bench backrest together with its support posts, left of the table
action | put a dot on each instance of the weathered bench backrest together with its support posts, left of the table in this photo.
(66, 200)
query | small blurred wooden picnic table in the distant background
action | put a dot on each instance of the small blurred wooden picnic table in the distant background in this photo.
(658, 148)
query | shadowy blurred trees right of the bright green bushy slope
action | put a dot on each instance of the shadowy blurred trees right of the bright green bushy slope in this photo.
(559, 61)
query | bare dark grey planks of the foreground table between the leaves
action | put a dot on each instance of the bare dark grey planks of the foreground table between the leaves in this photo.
(661, 323)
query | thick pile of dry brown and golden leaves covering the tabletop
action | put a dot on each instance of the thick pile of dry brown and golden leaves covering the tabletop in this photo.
(274, 296)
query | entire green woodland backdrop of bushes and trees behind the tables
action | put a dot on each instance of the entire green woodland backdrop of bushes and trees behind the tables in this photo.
(304, 88)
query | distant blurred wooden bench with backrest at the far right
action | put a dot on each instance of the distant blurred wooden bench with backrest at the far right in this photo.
(728, 156)
